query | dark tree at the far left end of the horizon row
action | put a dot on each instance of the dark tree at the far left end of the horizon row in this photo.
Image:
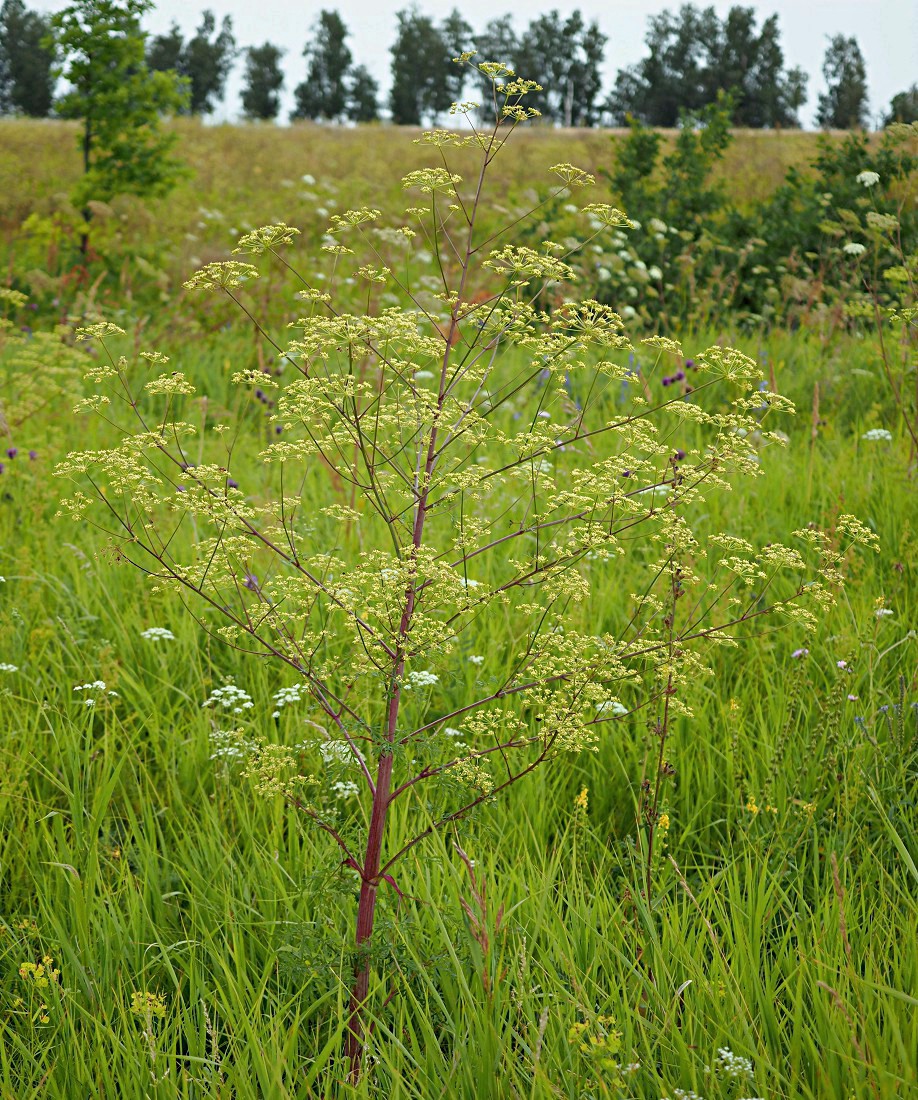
(27, 62)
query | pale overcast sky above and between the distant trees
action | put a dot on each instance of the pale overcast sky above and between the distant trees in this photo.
(887, 31)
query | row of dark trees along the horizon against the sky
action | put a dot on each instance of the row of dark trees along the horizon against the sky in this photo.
(692, 57)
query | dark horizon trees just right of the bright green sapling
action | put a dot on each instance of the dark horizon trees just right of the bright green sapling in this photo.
(205, 61)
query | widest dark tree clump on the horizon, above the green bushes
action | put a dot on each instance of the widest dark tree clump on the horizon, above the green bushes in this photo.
(694, 56)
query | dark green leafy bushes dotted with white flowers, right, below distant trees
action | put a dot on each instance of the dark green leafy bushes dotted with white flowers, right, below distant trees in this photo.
(826, 244)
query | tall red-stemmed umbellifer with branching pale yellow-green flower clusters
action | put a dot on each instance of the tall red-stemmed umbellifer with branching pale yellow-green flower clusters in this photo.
(479, 459)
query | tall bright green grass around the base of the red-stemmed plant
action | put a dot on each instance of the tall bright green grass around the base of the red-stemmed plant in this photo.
(781, 923)
